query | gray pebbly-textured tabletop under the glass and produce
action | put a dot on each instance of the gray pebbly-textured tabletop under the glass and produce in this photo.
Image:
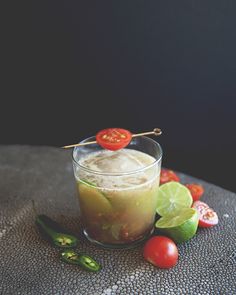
(28, 265)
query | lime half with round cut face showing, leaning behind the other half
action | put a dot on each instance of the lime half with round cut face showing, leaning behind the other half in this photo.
(172, 197)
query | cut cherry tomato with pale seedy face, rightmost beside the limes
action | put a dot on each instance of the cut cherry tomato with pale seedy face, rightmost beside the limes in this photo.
(207, 216)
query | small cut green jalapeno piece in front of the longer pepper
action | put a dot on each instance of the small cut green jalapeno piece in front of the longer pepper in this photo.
(83, 260)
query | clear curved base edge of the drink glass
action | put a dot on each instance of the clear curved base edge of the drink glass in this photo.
(118, 246)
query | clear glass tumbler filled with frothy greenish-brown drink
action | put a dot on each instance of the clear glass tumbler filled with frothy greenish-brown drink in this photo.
(118, 191)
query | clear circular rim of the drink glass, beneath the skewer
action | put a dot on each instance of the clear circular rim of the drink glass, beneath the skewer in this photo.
(157, 160)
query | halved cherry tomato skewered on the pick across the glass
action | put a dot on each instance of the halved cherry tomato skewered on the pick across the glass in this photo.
(113, 138)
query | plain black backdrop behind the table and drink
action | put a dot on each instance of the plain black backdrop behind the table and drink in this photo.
(73, 67)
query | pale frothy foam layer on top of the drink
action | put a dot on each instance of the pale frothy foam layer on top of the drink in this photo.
(125, 160)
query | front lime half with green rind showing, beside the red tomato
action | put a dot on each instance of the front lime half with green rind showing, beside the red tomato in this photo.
(180, 226)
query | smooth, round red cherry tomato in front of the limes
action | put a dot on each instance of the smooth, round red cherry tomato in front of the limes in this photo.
(161, 252)
